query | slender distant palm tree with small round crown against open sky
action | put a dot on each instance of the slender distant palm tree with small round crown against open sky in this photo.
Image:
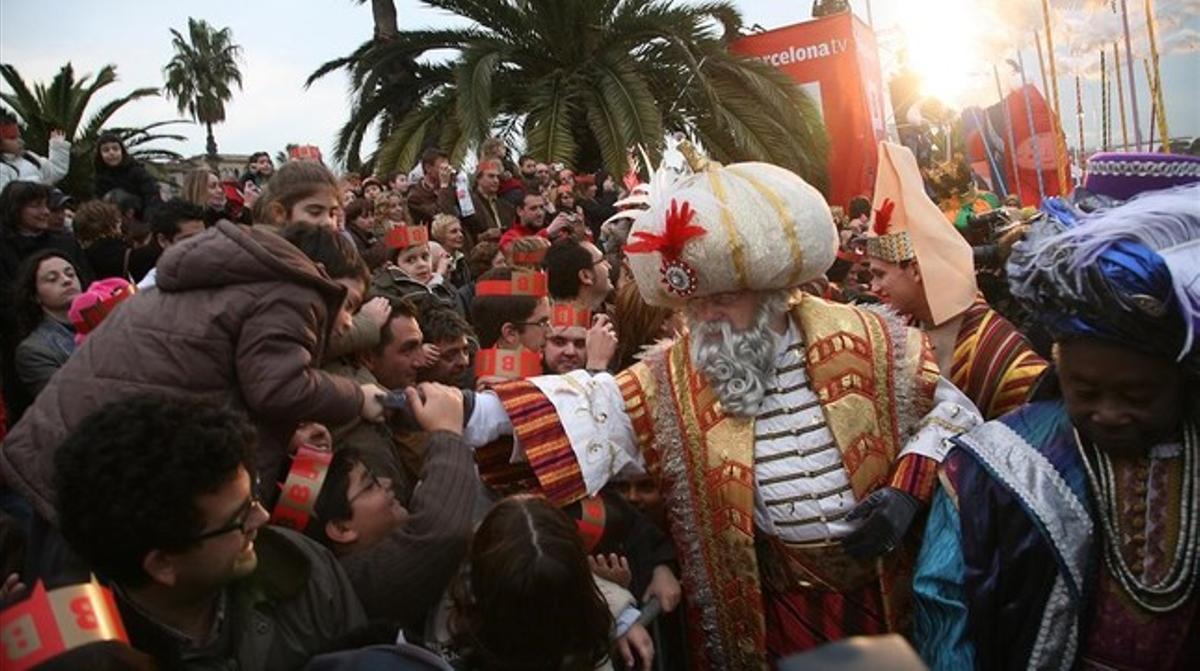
(201, 74)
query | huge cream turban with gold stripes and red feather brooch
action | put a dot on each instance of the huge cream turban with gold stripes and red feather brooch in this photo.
(728, 229)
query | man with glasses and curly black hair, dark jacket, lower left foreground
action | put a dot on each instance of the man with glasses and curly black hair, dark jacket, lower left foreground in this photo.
(157, 496)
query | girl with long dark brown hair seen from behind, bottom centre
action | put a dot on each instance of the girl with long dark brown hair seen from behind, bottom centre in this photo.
(530, 601)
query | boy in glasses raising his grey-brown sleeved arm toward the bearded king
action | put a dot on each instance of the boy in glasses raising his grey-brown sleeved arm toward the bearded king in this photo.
(401, 544)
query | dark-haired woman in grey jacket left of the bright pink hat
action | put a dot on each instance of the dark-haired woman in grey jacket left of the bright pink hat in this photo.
(46, 286)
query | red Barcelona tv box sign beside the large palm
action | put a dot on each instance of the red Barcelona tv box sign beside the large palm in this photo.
(836, 62)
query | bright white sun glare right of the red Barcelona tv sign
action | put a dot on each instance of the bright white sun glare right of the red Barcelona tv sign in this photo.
(941, 39)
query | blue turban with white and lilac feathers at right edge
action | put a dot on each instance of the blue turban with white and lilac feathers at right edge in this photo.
(1130, 274)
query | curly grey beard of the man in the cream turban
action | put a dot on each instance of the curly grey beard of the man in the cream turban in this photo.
(739, 366)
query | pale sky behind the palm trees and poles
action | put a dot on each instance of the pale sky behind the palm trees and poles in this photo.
(284, 41)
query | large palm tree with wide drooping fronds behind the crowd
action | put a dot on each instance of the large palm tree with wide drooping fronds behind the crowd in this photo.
(583, 81)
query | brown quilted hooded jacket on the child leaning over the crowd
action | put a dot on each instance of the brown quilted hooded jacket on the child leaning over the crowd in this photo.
(239, 317)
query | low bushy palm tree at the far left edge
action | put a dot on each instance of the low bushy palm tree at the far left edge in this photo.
(64, 105)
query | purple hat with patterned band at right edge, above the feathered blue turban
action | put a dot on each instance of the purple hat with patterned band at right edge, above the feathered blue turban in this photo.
(1125, 176)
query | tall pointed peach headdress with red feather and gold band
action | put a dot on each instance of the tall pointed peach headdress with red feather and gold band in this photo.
(910, 226)
